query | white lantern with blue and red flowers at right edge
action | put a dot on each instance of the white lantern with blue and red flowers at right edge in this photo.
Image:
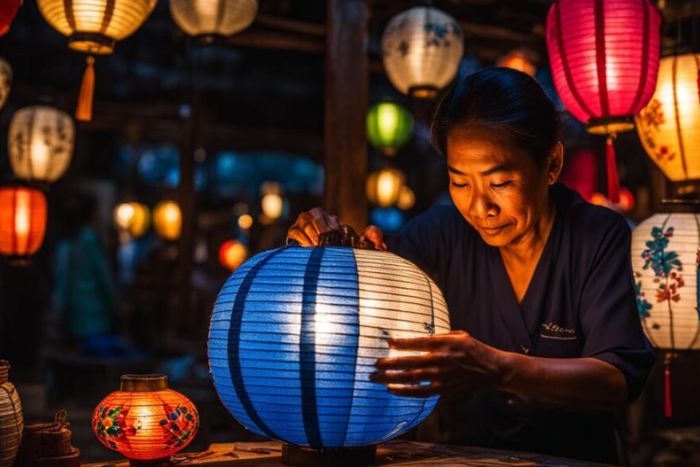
(664, 260)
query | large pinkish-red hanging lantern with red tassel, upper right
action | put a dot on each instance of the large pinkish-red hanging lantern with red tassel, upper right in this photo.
(604, 56)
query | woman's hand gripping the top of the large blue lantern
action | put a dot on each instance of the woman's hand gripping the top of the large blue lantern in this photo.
(310, 224)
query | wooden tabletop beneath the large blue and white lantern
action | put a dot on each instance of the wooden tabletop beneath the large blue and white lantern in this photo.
(394, 453)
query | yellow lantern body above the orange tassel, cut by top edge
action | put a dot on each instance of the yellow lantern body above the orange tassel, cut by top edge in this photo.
(93, 26)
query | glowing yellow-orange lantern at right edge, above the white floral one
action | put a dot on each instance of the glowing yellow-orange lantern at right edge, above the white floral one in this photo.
(669, 126)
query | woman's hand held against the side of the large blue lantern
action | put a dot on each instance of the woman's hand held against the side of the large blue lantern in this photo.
(454, 364)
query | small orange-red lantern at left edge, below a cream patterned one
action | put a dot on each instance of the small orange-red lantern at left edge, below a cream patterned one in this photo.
(22, 220)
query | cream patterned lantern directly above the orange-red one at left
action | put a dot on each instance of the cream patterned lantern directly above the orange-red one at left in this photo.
(40, 143)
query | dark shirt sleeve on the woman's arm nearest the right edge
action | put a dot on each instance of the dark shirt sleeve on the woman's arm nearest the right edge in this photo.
(609, 318)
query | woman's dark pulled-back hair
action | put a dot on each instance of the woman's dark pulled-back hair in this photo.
(500, 99)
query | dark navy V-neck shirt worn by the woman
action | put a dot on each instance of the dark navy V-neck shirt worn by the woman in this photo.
(579, 303)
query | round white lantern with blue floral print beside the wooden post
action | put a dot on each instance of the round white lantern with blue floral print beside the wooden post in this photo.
(421, 48)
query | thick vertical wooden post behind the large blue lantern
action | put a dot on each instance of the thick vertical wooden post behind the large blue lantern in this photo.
(347, 83)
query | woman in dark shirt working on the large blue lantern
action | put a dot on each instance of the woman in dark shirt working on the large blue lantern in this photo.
(546, 342)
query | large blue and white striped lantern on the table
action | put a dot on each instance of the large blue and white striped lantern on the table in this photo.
(296, 332)
